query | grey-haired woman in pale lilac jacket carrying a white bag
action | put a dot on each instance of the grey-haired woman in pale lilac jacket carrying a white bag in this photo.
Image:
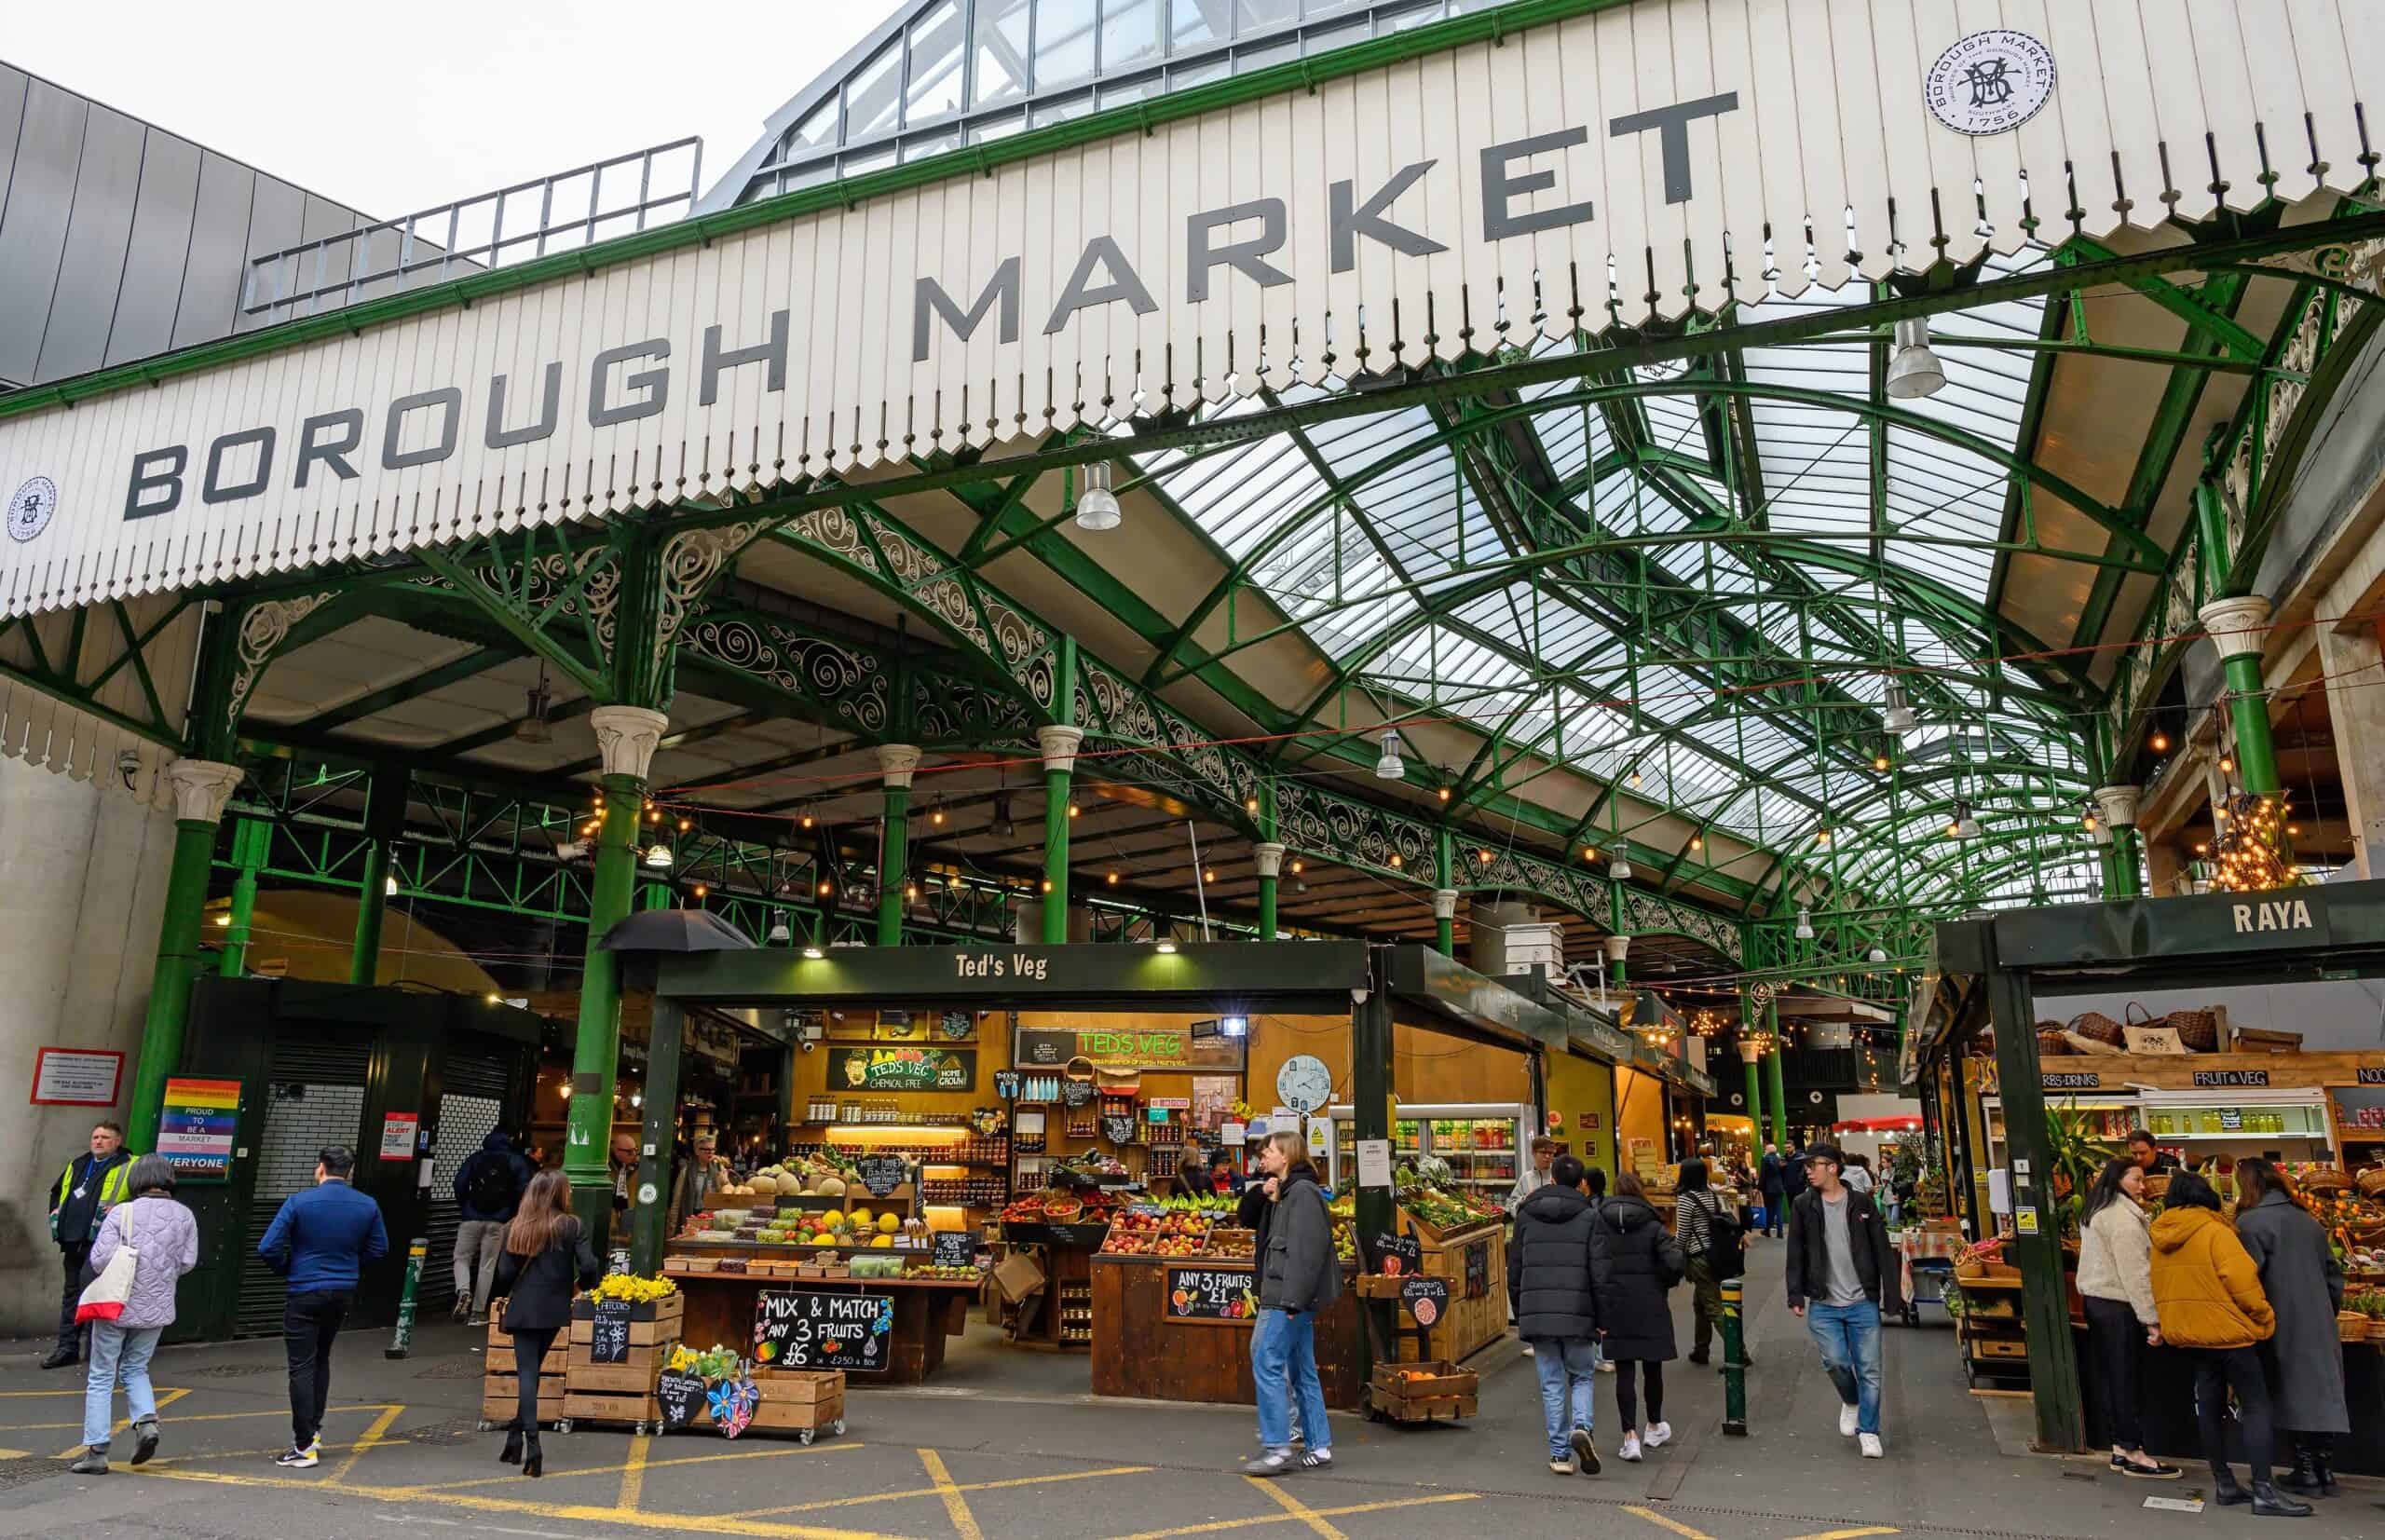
(140, 1255)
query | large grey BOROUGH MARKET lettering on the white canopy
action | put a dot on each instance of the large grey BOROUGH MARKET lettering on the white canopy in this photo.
(636, 380)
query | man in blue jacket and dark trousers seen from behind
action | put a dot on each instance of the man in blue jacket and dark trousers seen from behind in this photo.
(318, 1241)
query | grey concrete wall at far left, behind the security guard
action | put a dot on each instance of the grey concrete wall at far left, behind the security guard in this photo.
(82, 888)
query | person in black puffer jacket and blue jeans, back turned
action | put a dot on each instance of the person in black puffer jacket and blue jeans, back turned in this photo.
(1549, 1288)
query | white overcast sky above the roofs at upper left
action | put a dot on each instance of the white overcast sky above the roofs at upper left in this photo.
(395, 108)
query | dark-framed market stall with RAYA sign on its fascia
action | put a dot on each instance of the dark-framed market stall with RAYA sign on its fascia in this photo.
(2040, 1038)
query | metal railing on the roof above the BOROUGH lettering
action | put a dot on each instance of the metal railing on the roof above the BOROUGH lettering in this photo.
(574, 209)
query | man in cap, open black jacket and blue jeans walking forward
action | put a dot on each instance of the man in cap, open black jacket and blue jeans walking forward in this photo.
(1840, 1272)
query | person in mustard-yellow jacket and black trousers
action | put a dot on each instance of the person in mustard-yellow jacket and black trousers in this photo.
(2212, 1308)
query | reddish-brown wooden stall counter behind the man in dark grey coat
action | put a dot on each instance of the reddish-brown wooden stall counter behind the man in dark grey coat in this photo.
(1177, 1329)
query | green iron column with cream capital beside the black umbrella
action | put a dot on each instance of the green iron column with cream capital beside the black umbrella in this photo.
(626, 738)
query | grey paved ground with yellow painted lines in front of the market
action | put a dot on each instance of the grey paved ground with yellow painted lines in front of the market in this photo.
(1010, 1446)
